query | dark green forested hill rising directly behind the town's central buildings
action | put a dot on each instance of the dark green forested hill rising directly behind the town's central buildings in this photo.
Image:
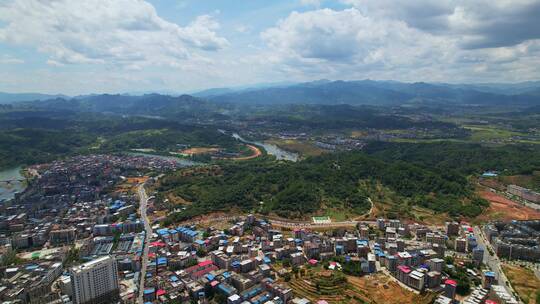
(335, 181)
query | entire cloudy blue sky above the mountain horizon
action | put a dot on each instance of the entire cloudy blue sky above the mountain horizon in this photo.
(117, 46)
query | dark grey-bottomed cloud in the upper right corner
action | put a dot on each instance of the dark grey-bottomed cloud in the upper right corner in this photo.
(477, 24)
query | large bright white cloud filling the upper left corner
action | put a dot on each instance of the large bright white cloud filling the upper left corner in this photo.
(119, 32)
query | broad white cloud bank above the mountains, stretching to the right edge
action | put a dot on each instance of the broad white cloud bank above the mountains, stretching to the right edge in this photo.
(360, 43)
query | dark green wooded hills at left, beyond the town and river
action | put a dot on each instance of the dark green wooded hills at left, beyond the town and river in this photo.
(28, 137)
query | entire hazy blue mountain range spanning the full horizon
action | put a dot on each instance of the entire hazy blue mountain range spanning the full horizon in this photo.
(362, 92)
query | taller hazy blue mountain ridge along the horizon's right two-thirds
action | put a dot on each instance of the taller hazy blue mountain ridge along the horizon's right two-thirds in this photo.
(383, 93)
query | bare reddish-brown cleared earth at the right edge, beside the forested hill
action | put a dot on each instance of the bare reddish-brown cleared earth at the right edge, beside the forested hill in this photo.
(501, 208)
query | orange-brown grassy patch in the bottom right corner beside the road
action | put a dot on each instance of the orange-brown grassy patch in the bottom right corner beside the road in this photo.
(524, 282)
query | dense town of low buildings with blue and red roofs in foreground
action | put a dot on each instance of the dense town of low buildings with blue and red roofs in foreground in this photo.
(85, 231)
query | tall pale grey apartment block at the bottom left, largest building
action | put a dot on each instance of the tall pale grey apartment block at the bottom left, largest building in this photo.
(95, 282)
